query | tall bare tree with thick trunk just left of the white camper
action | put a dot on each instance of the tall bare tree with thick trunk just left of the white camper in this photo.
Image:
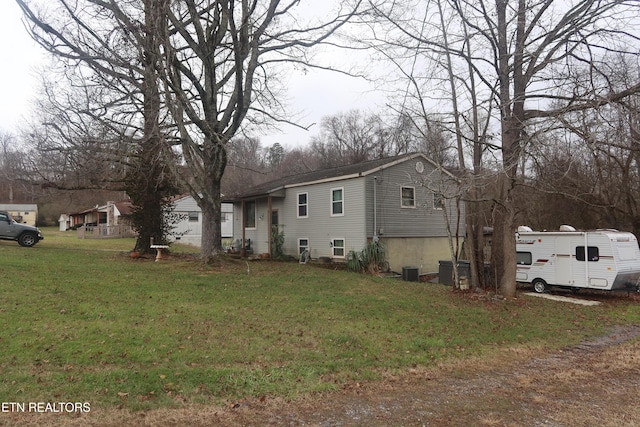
(520, 56)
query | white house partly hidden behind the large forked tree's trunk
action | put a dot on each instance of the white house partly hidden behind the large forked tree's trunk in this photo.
(189, 226)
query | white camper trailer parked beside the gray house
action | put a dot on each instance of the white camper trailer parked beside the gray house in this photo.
(600, 259)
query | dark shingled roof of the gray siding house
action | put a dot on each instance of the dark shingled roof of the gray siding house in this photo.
(327, 175)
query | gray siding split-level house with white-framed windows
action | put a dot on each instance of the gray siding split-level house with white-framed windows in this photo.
(405, 201)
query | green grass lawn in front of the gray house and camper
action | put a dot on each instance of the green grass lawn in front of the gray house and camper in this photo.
(81, 321)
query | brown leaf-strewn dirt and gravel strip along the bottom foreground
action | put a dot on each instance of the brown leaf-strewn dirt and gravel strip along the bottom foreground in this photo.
(594, 383)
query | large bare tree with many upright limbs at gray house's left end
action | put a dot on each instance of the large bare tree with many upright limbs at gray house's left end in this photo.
(220, 59)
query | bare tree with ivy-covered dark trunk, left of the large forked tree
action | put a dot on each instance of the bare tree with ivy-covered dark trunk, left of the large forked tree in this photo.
(109, 53)
